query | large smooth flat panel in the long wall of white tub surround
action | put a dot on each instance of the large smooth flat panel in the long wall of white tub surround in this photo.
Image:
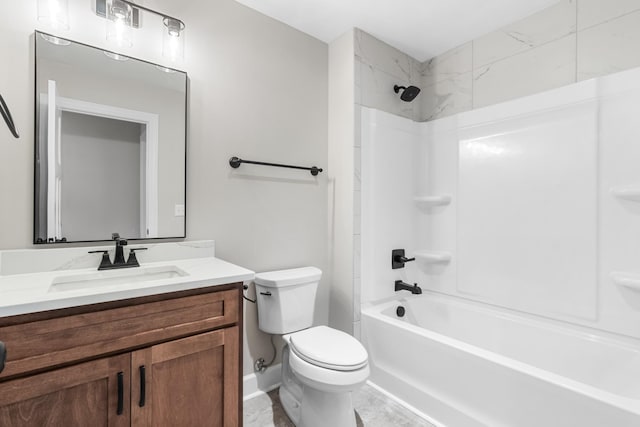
(527, 208)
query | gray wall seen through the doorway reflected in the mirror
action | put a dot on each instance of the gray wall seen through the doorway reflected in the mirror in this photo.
(100, 177)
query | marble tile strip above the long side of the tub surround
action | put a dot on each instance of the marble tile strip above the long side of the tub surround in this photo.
(571, 41)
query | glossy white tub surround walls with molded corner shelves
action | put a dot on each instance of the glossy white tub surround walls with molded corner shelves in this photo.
(539, 212)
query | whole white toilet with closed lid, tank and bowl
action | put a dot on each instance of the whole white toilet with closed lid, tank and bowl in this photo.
(321, 366)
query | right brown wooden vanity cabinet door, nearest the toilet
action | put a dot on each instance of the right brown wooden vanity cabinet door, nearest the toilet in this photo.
(188, 382)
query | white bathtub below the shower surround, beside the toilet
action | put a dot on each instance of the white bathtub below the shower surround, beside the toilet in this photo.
(466, 364)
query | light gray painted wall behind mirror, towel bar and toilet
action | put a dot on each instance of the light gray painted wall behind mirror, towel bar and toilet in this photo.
(258, 90)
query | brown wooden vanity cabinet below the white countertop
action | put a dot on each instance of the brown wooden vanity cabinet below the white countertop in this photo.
(167, 360)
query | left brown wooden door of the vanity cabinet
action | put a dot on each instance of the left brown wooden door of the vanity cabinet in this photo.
(87, 394)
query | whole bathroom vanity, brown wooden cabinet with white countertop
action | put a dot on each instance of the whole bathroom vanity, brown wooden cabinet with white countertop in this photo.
(168, 355)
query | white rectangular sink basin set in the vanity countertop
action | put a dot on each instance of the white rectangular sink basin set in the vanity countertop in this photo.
(114, 278)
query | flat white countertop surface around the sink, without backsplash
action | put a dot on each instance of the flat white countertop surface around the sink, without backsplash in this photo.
(32, 292)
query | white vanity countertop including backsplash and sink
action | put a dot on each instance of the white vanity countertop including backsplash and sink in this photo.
(39, 280)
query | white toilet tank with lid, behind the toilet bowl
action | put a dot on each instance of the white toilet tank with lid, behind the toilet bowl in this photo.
(286, 299)
